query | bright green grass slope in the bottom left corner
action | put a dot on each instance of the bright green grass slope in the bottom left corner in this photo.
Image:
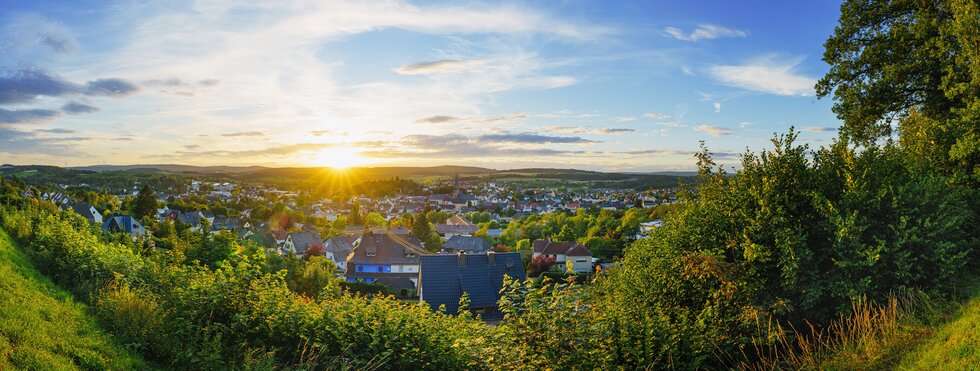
(43, 328)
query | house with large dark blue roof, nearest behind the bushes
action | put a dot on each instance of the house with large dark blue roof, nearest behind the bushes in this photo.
(444, 278)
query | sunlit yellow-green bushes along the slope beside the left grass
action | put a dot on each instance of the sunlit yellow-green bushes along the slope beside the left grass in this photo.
(237, 315)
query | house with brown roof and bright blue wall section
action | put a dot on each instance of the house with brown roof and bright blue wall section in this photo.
(389, 259)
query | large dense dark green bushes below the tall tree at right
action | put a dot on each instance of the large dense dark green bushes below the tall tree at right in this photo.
(785, 239)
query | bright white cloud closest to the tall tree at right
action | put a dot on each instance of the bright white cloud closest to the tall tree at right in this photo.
(767, 75)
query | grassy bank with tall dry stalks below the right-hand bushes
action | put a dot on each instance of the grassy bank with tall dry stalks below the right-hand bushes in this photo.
(908, 332)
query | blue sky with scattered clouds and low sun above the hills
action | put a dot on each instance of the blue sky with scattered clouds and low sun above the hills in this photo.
(597, 85)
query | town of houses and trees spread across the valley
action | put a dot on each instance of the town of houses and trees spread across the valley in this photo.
(445, 240)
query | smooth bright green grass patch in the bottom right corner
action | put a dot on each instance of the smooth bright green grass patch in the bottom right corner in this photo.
(953, 346)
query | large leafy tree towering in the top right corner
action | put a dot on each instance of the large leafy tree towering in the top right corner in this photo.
(914, 65)
